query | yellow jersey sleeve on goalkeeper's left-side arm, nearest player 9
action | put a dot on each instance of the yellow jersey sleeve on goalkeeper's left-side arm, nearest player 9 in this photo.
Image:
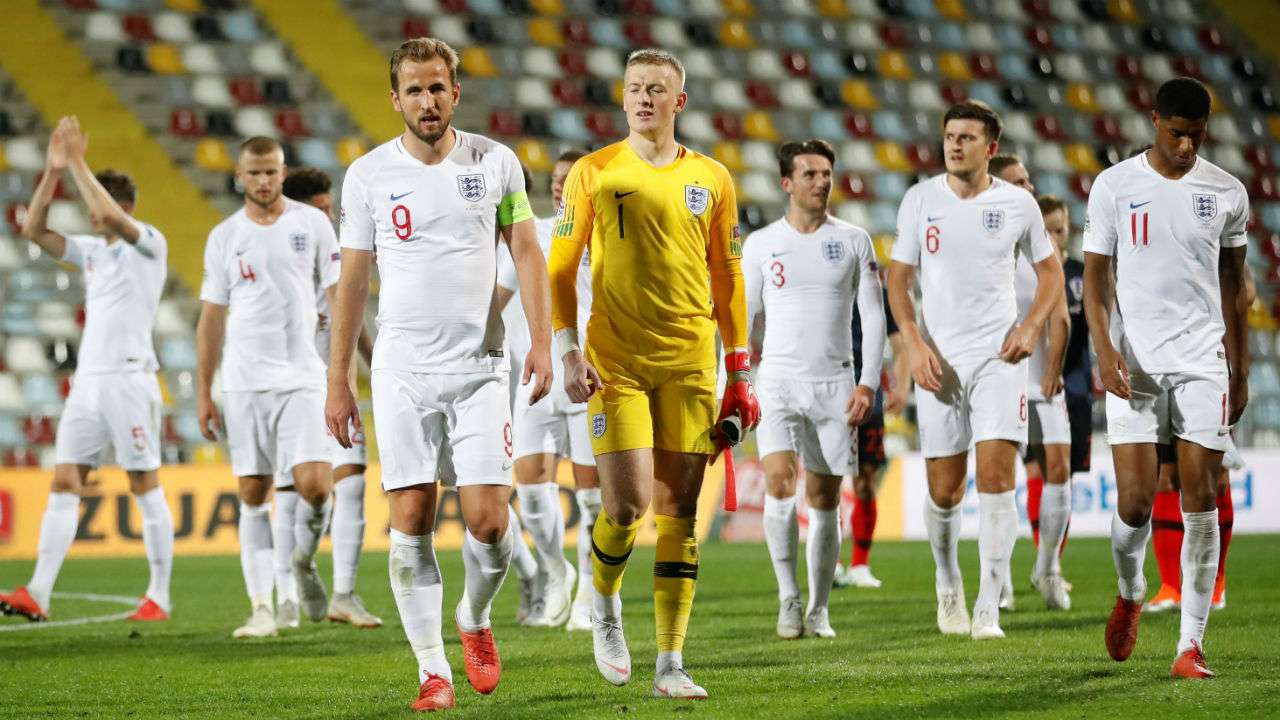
(573, 231)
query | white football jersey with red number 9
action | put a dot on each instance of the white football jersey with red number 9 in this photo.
(436, 233)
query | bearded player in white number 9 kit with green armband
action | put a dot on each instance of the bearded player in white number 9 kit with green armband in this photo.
(435, 202)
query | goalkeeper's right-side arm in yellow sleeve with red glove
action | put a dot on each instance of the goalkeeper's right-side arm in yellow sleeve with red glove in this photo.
(729, 306)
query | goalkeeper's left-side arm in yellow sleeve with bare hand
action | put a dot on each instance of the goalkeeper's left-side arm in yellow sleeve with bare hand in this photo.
(569, 241)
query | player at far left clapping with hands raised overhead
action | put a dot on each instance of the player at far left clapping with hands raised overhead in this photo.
(116, 398)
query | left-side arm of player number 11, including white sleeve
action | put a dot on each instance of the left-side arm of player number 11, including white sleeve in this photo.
(1100, 248)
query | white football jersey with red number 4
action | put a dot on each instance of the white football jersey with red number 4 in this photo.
(267, 276)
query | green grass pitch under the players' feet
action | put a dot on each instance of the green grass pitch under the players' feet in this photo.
(889, 660)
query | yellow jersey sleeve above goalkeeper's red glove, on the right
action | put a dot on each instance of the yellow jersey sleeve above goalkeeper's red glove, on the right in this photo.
(725, 262)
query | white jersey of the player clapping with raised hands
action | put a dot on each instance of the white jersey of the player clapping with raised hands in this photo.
(124, 284)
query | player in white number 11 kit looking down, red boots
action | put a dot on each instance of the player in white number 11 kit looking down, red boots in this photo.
(1172, 354)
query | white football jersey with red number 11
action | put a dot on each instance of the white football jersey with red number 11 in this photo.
(1165, 236)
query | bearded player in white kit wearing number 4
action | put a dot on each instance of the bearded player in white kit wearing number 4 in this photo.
(263, 263)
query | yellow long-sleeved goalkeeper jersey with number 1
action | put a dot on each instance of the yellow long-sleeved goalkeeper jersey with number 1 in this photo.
(665, 253)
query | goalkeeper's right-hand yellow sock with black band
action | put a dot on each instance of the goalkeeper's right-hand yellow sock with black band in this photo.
(675, 573)
